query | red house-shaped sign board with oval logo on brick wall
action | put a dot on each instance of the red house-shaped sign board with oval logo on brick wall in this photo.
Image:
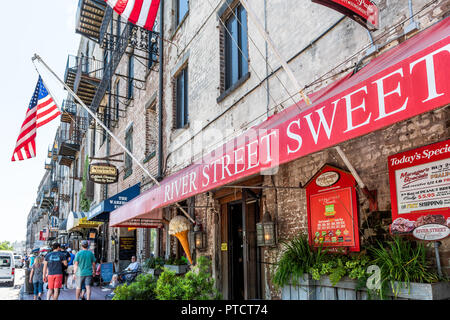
(332, 209)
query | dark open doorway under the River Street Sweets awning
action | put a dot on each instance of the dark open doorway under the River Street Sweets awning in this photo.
(244, 256)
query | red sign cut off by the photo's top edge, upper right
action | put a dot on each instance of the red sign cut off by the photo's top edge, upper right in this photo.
(364, 12)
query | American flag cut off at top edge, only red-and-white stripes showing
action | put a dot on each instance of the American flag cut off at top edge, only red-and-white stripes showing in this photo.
(139, 12)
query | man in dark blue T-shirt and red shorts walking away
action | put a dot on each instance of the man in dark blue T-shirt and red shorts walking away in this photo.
(53, 271)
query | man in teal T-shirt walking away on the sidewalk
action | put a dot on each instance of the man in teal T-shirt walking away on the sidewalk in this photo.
(84, 269)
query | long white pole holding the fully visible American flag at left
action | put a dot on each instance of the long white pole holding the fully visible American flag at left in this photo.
(37, 57)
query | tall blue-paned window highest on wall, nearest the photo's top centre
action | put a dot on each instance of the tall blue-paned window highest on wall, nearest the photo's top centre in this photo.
(236, 46)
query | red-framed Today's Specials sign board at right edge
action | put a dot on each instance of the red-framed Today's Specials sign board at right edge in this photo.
(420, 187)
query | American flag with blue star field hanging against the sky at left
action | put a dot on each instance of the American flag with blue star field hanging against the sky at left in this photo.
(42, 109)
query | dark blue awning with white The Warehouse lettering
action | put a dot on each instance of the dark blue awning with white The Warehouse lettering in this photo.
(101, 211)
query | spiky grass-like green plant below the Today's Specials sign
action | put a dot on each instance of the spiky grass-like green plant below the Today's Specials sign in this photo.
(402, 261)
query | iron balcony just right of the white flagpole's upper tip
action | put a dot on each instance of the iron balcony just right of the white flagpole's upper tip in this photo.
(83, 75)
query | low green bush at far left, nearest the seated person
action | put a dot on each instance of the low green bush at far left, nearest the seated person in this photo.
(141, 289)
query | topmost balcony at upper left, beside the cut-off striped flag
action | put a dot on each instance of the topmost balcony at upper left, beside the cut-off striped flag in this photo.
(89, 18)
